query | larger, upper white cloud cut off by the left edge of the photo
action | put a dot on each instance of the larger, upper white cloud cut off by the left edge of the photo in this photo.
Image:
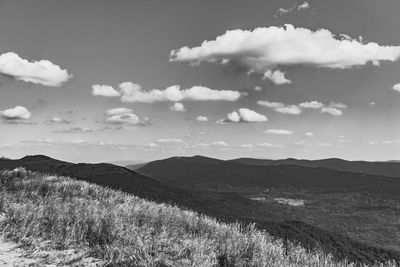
(42, 72)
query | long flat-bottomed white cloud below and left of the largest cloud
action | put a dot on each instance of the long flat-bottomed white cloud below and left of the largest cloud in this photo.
(132, 92)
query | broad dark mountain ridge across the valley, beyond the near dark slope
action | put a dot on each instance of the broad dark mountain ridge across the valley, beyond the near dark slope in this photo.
(189, 171)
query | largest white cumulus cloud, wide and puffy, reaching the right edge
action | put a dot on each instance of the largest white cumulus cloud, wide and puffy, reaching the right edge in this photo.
(265, 50)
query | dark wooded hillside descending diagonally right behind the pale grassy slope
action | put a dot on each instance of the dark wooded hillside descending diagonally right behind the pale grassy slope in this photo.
(228, 207)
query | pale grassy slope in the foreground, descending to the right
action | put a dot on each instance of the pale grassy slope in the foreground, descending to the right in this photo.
(125, 230)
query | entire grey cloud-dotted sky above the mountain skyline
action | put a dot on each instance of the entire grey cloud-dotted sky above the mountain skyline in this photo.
(95, 81)
